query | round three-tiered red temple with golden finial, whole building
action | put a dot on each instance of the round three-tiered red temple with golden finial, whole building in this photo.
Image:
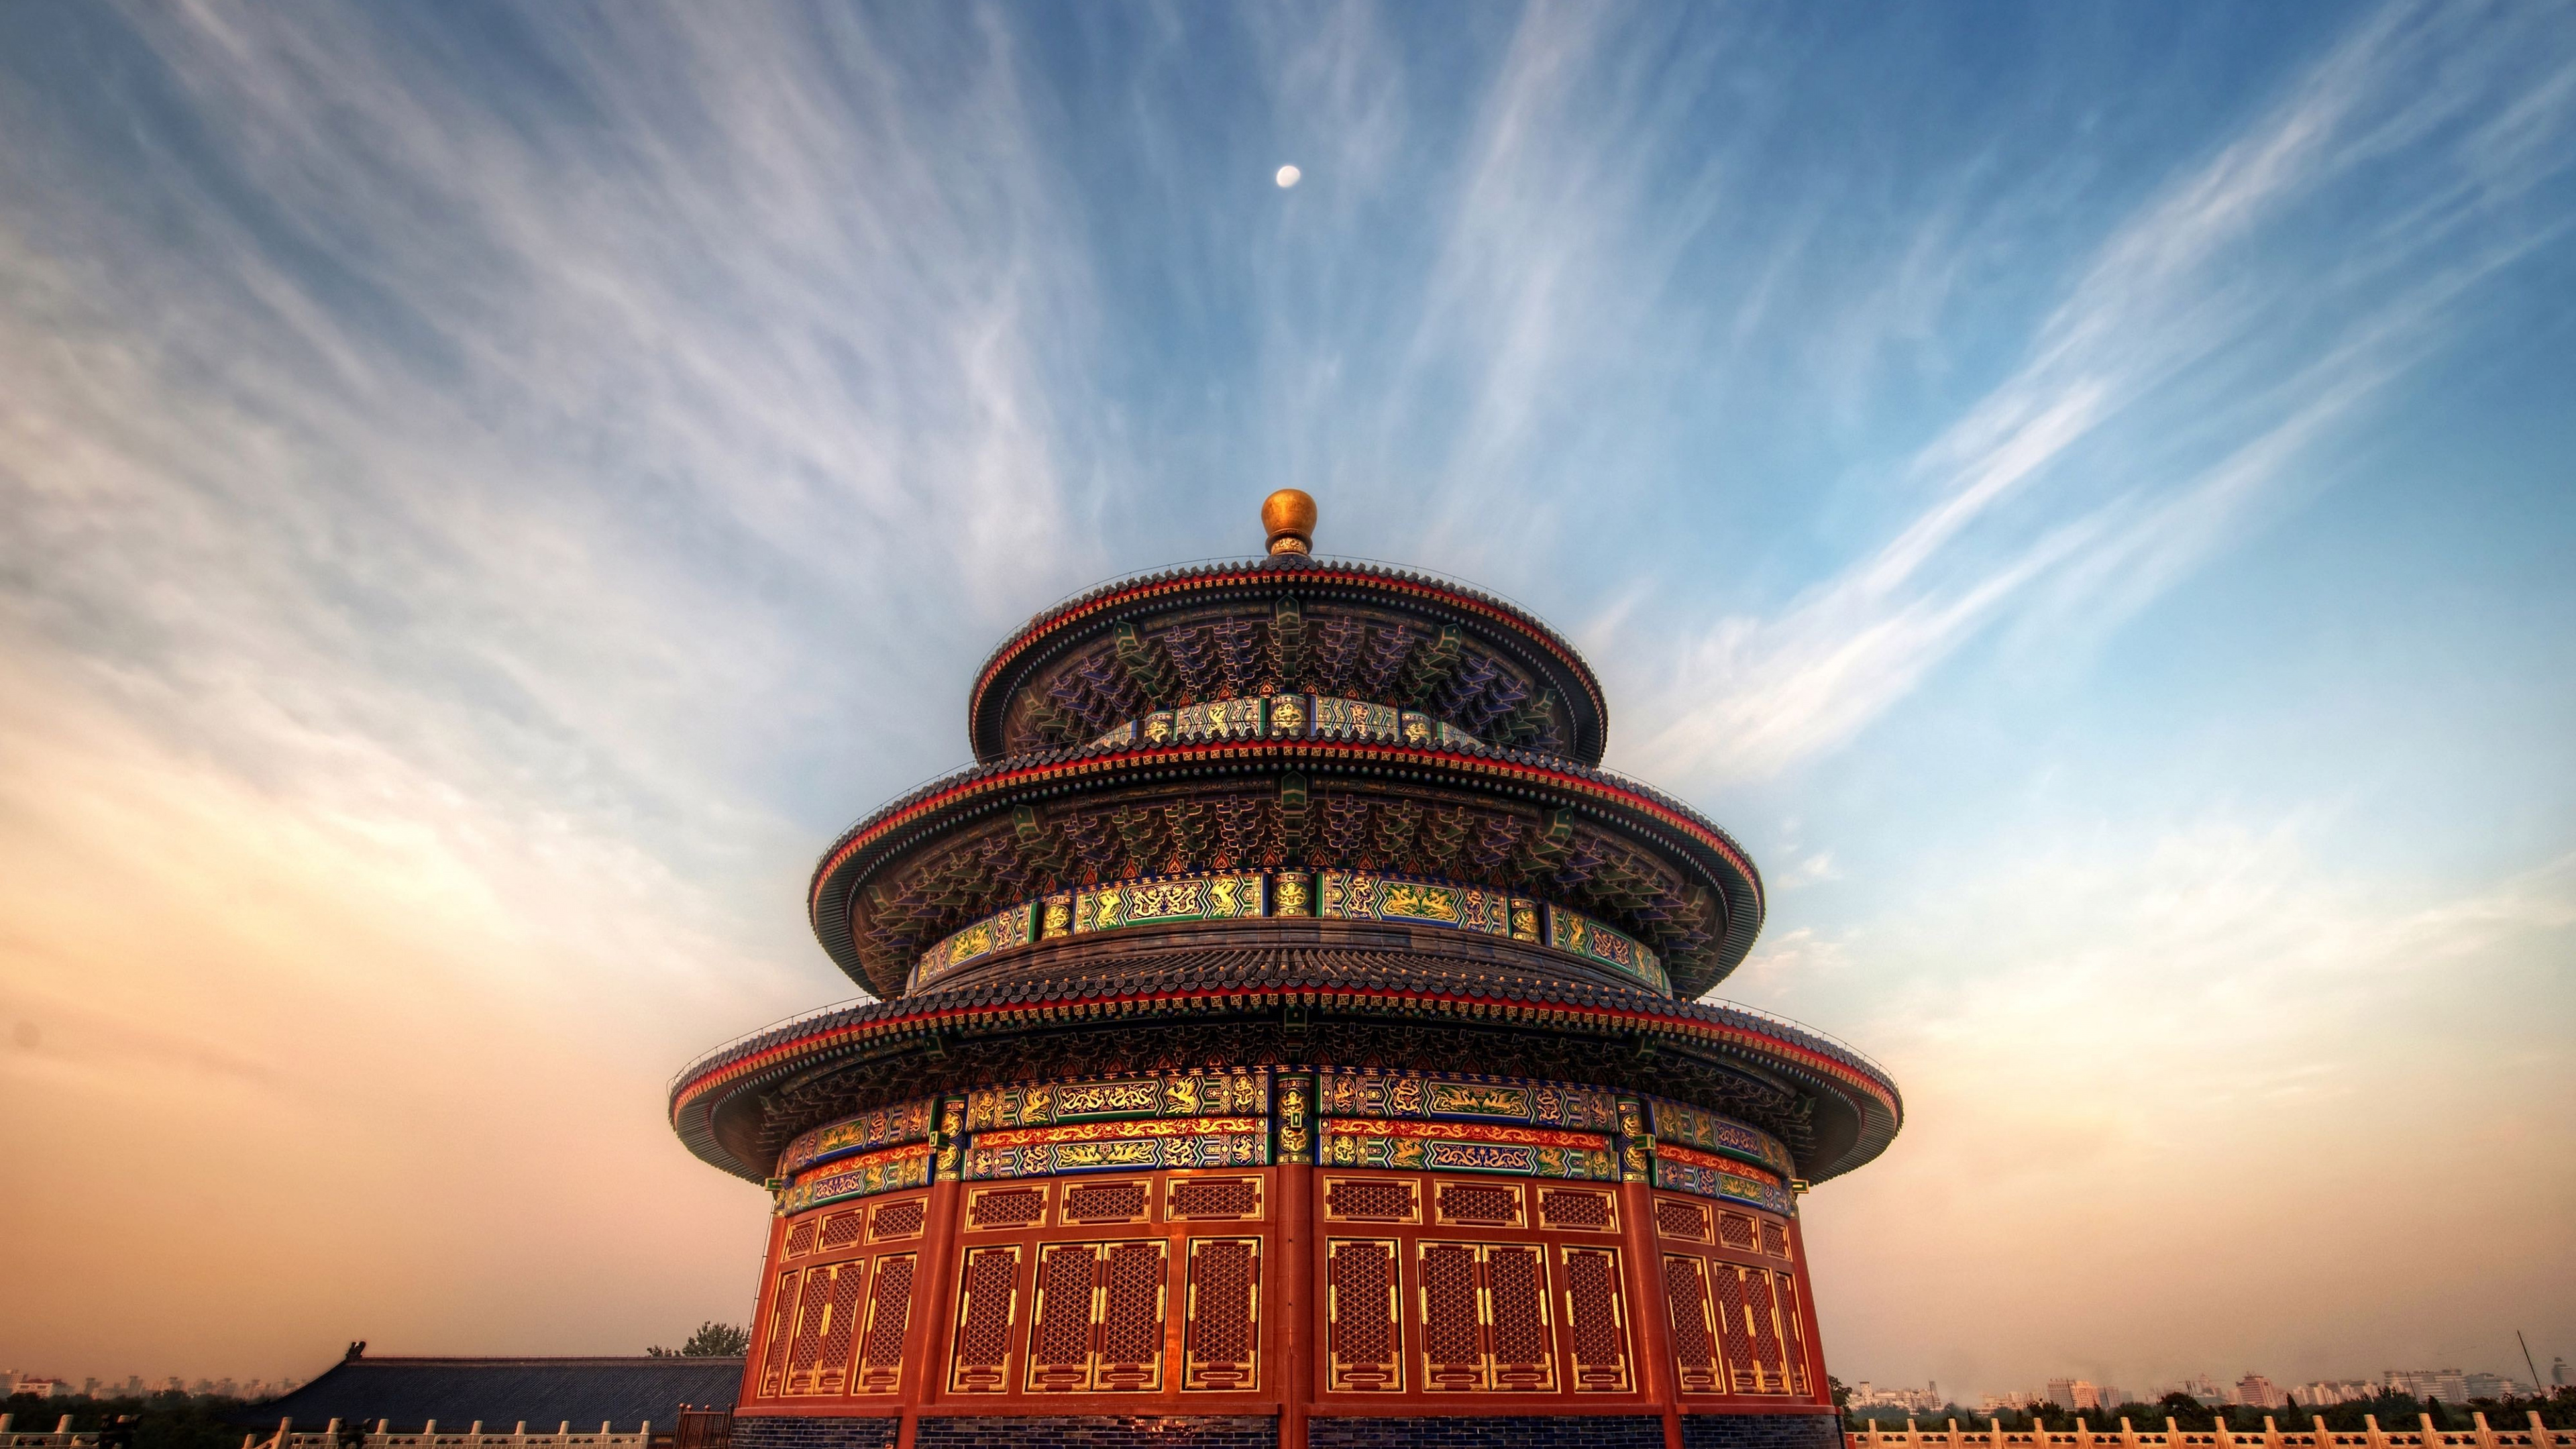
(1287, 1035)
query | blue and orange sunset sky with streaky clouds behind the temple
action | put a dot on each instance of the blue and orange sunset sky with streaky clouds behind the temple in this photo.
(2080, 491)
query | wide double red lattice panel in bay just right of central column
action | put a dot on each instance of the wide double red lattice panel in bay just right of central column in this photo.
(1485, 1319)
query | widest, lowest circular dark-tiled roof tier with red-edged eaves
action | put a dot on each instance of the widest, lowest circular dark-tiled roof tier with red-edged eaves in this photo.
(1346, 1002)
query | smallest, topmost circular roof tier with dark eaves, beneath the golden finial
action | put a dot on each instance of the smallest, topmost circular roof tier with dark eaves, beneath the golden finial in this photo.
(1287, 625)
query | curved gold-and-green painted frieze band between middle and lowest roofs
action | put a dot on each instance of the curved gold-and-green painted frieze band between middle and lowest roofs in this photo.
(1328, 893)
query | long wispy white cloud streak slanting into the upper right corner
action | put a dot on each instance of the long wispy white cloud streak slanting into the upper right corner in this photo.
(2206, 326)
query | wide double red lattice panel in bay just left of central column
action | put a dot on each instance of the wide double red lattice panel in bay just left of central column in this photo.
(1099, 1319)
